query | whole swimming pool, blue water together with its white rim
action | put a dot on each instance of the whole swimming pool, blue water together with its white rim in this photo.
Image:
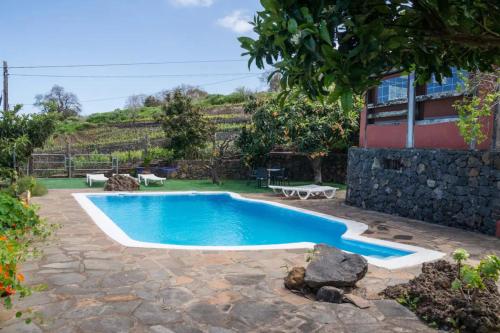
(227, 221)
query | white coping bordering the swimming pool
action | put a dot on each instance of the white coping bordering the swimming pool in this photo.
(353, 232)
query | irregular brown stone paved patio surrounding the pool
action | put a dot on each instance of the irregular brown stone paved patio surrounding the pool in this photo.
(97, 285)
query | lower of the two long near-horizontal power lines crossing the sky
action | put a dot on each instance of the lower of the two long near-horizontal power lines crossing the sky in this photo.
(149, 76)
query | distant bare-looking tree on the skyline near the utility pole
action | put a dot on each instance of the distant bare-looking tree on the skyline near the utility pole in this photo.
(59, 101)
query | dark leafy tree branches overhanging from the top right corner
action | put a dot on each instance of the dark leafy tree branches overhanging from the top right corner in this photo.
(353, 43)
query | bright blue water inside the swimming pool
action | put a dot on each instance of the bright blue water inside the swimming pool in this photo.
(221, 220)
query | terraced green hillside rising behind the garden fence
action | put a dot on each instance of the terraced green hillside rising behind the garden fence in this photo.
(129, 130)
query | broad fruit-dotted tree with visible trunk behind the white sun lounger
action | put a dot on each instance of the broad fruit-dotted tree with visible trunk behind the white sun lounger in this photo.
(310, 128)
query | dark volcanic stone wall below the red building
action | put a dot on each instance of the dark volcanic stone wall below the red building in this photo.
(448, 187)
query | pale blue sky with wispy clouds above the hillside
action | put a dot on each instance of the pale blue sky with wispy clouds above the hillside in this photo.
(62, 32)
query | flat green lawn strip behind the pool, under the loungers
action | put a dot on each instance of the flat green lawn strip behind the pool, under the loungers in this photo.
(238, 186)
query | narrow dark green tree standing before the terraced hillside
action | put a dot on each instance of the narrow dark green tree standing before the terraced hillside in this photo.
(184, 126)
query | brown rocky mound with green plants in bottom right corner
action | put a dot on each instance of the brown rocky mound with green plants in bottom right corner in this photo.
(454, 297)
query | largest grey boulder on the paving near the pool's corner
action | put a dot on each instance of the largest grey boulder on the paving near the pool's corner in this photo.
(333, 267)
